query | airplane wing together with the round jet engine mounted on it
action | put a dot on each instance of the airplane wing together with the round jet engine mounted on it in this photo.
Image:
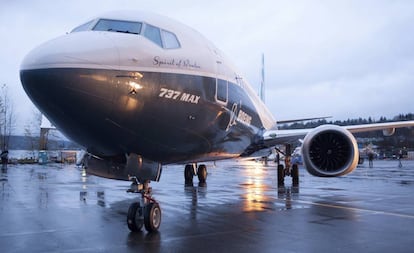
(329, 150)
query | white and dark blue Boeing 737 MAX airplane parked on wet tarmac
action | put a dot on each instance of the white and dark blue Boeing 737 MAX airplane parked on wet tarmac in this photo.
(139, 91)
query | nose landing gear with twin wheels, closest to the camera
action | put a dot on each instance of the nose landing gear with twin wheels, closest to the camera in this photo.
(145, 212)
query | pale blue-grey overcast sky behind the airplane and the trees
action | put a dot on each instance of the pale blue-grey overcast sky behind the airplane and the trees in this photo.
(345, 59)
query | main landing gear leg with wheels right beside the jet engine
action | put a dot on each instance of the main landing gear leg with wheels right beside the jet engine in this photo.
(288, 170)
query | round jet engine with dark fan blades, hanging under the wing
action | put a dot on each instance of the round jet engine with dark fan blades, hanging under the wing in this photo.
(330, 151)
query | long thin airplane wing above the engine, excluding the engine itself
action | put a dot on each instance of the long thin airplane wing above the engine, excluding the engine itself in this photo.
(276, 137)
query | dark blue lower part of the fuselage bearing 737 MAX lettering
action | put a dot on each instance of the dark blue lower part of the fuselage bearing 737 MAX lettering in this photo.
(164, 117)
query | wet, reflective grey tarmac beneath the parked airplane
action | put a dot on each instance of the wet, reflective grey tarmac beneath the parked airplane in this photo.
(56, 208)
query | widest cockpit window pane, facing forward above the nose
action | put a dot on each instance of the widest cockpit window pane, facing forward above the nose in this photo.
(118, 26)
